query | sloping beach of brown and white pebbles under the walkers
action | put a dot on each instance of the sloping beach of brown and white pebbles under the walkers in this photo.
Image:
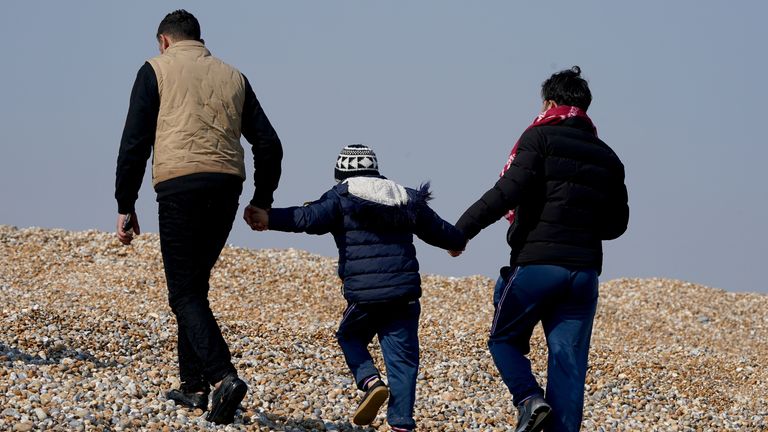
(88, 341)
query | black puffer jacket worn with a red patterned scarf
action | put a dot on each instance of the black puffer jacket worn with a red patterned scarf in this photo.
(567, 188)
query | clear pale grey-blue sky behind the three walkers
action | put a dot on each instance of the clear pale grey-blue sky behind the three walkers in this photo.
(440, 90)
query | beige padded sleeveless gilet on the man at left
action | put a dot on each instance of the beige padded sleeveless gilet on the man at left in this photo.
(201, 105)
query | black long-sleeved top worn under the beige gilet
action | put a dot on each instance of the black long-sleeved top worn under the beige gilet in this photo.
(139, 138)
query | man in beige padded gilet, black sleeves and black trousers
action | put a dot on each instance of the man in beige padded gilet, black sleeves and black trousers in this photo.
(190, 109)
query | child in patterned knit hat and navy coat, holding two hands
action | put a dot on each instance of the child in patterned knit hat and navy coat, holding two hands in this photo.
(373, 220)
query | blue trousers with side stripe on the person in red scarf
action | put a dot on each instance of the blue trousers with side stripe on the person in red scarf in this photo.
(564, 301)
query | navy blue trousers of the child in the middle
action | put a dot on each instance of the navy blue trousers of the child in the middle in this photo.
(397, 325)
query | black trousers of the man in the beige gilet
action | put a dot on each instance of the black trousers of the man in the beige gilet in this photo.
(194, 225)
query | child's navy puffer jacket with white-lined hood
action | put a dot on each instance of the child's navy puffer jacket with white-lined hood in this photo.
(373, 220)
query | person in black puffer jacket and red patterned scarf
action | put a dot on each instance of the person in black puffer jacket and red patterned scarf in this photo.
(567, 190)
